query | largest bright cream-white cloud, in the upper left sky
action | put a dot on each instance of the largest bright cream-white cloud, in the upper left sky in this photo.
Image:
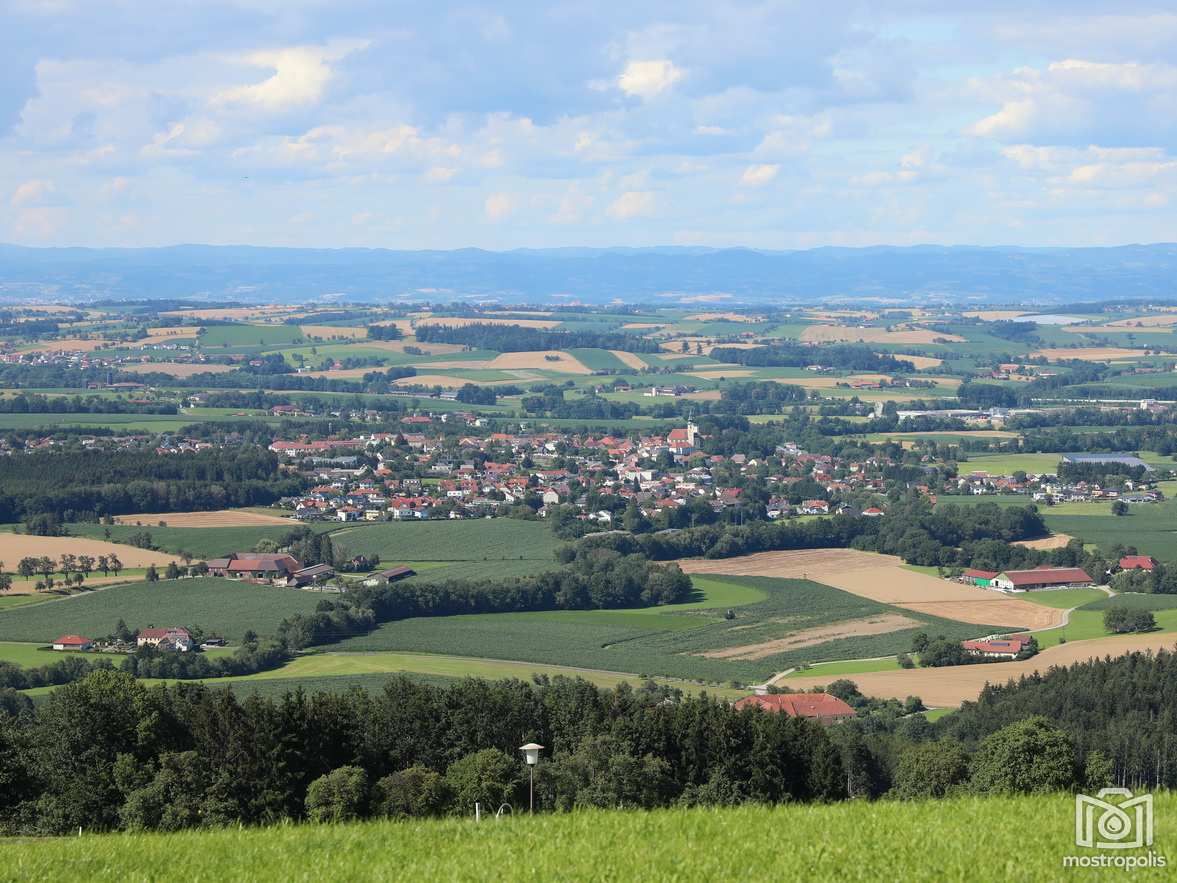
(301, 77)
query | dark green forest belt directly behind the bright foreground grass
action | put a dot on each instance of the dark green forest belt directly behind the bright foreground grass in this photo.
(107, 753)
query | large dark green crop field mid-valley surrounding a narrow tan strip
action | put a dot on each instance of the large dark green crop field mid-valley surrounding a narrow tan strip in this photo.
(671, 641)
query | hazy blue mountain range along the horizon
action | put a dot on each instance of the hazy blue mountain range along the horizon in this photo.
(954, 275)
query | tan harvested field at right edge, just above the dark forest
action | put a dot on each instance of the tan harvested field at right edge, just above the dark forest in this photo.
(952, 686)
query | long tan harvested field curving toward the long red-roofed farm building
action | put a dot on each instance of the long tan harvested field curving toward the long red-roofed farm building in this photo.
(883, 579)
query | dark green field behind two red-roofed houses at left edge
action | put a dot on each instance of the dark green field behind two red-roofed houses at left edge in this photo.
(216, 606)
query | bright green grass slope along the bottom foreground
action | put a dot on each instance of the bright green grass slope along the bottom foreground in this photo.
(959, 840)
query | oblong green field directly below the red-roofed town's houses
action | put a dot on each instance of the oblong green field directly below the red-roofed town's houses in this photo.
(453, 541)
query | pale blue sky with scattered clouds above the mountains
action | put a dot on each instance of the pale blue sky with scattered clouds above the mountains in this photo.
(448, 125)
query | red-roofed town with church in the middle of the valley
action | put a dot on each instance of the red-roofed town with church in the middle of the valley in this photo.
(476, 476)
